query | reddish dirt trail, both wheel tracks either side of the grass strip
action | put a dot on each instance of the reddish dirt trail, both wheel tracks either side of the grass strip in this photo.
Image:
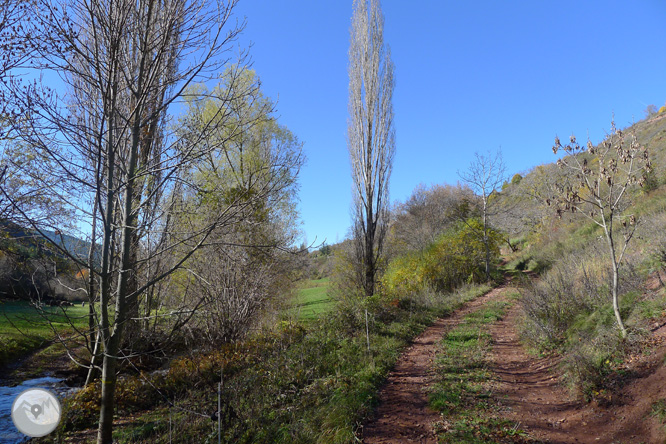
(527, 391)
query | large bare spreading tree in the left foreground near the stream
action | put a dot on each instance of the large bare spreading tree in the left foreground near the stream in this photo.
(112, 154)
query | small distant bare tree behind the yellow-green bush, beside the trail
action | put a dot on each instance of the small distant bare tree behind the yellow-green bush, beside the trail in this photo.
(485, 176)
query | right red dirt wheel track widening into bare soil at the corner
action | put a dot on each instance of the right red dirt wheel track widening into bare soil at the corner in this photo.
(530, 394)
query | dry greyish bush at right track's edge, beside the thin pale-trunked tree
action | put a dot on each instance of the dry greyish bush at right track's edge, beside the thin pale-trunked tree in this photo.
(570, 308)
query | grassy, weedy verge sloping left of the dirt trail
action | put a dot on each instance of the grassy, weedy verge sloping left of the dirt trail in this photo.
(302, 382)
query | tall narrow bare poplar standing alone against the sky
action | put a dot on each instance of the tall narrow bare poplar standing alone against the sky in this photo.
(371, 136)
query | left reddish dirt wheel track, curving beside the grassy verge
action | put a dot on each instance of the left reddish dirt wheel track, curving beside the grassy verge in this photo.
(403, 415)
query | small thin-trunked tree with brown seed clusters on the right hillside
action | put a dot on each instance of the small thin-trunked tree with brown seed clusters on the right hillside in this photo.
(597, 185)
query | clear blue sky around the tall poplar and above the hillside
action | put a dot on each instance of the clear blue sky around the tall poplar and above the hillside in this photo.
(470, 76)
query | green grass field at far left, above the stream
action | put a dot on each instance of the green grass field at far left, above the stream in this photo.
(24, 329)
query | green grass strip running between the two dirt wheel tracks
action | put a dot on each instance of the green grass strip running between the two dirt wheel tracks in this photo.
(462, 392)
